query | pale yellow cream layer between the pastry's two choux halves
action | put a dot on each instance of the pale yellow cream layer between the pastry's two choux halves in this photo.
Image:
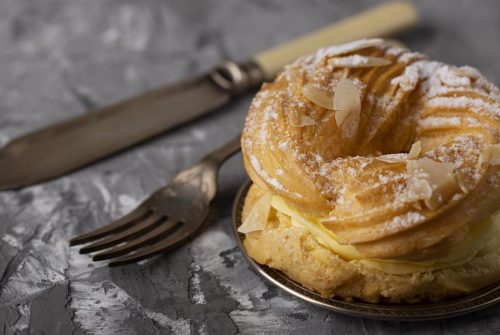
(476, 239)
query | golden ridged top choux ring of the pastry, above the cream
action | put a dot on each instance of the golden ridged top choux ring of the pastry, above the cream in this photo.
(293, 147)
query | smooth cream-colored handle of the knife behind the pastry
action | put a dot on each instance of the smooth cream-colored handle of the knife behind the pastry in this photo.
(380, 21)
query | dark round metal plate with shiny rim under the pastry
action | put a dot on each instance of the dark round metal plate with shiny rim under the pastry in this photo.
(433, 311)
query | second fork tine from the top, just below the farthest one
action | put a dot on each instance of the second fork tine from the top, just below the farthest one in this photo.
(138, 229)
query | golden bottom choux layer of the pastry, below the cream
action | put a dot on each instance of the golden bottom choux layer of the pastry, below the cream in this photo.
(297, 253)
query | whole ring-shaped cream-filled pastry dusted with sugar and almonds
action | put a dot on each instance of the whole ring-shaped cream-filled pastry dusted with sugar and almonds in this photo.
(376, 175)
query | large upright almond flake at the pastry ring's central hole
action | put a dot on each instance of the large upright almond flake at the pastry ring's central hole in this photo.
(347, 104)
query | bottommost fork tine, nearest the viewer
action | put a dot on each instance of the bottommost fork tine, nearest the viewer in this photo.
(181, 234)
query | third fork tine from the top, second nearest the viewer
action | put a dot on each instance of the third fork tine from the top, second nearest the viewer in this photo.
(151, 237)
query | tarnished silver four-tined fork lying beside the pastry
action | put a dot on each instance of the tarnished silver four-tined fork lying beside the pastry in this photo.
(169, 217)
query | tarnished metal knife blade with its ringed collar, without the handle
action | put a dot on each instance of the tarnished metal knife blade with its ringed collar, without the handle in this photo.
(66, 146)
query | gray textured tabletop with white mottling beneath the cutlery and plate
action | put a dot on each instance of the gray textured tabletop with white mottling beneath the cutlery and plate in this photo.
(61, 58)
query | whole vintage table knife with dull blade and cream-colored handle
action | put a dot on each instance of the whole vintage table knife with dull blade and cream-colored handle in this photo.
(64, 147)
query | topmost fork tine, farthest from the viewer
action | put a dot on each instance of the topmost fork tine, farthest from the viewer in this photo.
(118, 225)
